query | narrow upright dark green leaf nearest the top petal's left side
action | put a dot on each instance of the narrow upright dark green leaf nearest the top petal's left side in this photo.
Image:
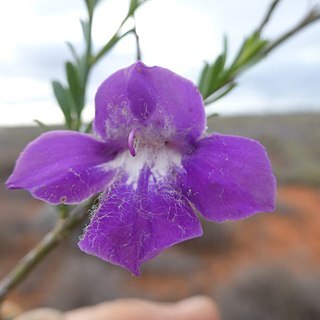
(75, 87)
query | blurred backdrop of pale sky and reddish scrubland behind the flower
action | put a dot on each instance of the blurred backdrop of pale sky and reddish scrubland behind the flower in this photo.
(261, 268)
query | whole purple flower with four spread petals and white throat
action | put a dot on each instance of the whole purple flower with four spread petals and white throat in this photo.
(152, 163)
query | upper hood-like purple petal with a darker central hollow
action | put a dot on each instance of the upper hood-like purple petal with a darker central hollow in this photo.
(160, 103)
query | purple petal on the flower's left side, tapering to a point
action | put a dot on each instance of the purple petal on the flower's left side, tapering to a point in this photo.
(62, 167)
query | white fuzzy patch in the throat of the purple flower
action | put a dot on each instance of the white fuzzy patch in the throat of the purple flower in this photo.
(158, 159)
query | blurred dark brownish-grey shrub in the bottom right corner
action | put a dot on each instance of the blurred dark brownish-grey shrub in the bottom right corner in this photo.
(271, 293)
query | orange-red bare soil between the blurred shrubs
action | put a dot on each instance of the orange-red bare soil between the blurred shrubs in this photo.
(289, 237)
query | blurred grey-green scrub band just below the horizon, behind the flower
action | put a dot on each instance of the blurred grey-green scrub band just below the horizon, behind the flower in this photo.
(292, 141)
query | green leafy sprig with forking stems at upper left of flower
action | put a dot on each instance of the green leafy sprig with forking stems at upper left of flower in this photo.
(71, 97)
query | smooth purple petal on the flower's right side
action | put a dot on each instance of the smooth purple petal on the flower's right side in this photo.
(229, 177)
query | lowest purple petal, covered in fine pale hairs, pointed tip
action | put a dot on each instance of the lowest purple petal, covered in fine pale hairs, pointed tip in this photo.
(135, 223)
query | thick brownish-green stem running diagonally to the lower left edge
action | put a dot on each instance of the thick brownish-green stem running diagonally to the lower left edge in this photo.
(60, 232)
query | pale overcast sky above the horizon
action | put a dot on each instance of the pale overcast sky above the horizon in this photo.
(177, 34)
